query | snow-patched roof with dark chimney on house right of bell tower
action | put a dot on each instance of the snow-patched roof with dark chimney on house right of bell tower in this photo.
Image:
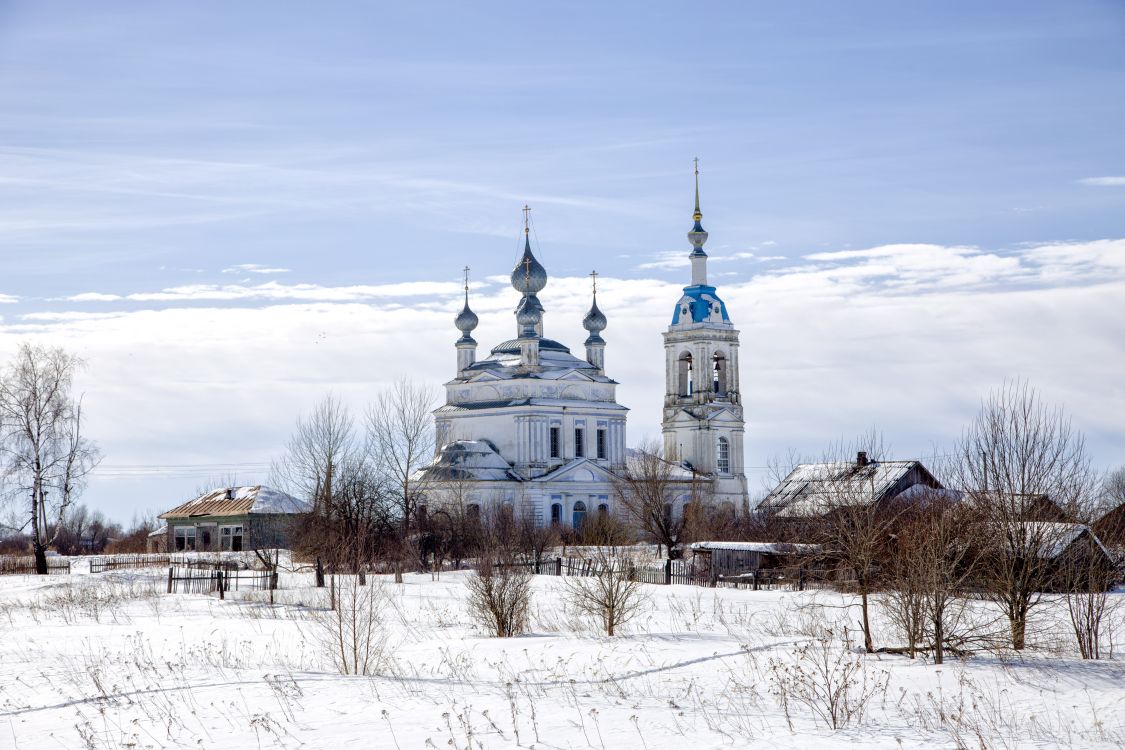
(812, 490)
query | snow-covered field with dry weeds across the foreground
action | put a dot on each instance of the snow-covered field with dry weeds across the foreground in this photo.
(112, 662)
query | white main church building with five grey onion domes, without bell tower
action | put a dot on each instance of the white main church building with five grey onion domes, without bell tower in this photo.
(532, 427)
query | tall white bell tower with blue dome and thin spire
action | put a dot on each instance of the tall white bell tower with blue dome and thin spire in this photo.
(704, 421)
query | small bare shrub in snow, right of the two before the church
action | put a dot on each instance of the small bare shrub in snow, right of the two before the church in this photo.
(610, 595)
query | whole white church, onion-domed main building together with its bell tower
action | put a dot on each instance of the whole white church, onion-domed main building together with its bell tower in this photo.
(534, 428)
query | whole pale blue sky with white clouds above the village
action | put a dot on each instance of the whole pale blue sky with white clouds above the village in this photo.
(230, 211)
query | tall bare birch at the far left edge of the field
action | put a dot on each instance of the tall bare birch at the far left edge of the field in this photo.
(44, 456)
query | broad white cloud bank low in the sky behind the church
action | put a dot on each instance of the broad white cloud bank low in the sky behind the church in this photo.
(905, 337)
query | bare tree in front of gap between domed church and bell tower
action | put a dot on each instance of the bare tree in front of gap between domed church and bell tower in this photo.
(647, 492)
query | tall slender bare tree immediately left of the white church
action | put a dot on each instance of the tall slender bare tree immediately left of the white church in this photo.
(401, 442)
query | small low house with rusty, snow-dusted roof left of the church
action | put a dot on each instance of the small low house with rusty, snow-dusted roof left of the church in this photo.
(233, 519)
